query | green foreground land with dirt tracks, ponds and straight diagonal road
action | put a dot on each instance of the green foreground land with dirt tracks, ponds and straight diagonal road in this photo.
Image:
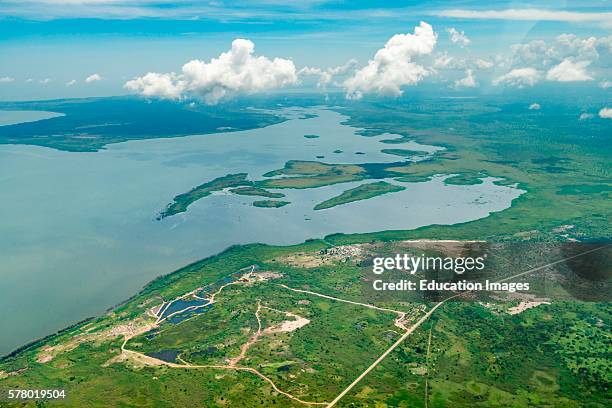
(294, 326)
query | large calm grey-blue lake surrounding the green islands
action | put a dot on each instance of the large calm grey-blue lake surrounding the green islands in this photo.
(79, 232)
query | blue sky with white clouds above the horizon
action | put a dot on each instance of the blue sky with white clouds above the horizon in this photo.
(213, 51)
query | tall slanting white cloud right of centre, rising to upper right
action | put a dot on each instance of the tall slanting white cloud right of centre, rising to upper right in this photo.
(392, 66)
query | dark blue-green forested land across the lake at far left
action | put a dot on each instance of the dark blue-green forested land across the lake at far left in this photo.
(91, 124)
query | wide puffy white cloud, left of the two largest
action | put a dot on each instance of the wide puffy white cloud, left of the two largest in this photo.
(234, 71)
